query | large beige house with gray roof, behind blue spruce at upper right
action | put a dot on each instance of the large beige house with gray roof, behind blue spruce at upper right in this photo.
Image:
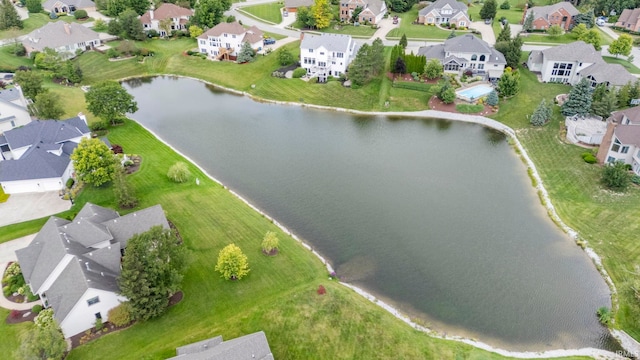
(572, 62)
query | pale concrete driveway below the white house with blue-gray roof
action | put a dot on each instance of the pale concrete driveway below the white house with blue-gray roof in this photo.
(23, 207)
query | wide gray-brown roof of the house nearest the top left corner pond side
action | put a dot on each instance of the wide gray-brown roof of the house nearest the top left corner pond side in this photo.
(57, 34)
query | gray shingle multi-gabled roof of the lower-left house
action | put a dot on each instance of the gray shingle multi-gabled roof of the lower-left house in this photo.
(88, 267)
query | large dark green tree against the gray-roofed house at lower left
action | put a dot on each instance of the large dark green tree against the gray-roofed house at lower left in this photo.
(152, 270)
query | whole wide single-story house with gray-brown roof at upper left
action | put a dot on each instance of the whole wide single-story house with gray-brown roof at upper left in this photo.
(67, 39)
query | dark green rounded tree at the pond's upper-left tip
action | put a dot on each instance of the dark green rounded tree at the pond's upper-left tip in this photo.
(109, 100)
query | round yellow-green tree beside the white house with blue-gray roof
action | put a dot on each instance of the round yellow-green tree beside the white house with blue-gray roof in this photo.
(93, 161)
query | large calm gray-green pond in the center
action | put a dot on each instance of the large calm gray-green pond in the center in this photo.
(438, 218)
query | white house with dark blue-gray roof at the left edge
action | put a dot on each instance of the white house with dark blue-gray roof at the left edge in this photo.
(36, 156)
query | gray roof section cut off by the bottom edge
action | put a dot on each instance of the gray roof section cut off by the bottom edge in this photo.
(249, 347)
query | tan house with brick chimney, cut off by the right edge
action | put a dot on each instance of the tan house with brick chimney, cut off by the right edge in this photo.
(621, 142)
